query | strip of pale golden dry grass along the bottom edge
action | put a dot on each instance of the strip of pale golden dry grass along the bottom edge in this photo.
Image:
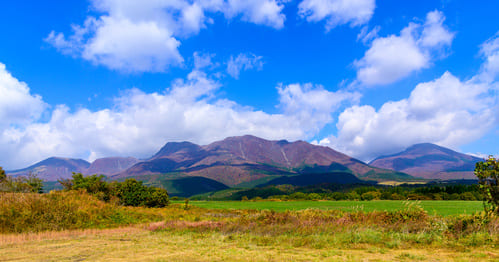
(139, 243)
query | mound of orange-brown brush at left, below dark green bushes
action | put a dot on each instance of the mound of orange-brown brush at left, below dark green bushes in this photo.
(60, 210)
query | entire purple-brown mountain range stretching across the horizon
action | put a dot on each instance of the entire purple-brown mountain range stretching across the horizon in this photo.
(248, 161)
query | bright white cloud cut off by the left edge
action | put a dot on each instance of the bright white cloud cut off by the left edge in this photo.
(17, 105)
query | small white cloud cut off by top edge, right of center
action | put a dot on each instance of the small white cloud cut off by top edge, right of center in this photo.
(337, 12)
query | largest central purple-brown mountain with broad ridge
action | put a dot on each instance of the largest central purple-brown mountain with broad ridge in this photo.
(240, 160)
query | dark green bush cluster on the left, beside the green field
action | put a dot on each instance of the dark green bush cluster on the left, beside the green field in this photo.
(128, 193)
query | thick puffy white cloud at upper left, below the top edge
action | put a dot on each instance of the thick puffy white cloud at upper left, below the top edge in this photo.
(132, 47)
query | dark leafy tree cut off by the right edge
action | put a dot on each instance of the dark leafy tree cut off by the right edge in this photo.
(488, 179)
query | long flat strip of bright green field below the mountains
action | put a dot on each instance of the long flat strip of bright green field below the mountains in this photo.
(442, 208)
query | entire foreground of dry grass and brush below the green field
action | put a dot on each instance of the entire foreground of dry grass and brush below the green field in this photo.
(177, 233)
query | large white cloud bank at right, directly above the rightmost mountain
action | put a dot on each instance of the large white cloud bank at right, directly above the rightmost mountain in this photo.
(445, 111)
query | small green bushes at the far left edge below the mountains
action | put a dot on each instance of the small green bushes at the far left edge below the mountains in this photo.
(23, 184)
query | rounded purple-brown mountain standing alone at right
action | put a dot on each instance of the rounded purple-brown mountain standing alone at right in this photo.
(430, 161)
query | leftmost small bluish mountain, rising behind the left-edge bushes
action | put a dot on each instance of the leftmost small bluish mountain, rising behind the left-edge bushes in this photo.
(53, 168)
